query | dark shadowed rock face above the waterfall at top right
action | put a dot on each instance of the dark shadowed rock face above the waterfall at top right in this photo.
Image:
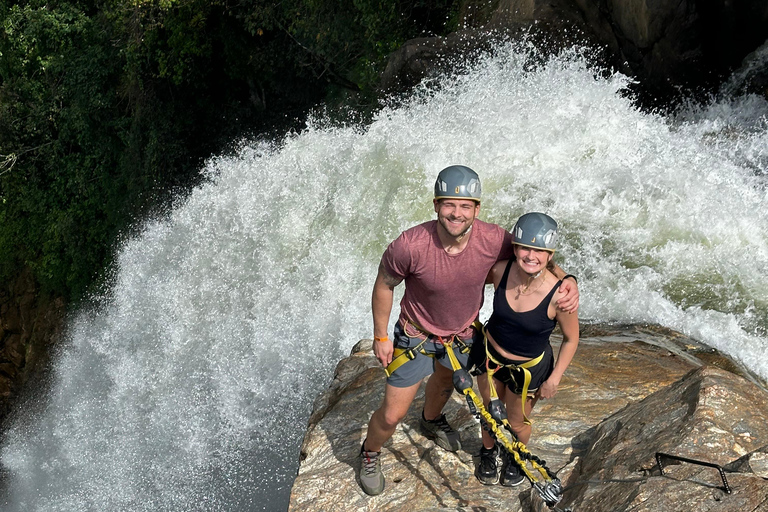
(665, 44)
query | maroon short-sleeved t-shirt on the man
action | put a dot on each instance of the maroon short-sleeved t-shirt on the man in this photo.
(444, 292)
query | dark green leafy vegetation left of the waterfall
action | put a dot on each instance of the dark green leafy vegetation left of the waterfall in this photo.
(108, 108)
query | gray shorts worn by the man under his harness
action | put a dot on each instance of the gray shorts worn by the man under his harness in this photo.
(422, 365)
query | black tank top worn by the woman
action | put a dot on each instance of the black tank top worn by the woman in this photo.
(525, 334)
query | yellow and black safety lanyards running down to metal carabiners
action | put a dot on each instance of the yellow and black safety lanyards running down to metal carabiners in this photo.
(546, 484)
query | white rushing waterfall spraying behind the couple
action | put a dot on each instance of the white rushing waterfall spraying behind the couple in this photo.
(191, 387)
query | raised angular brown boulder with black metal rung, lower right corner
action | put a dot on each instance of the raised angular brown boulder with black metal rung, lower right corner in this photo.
(709, 415)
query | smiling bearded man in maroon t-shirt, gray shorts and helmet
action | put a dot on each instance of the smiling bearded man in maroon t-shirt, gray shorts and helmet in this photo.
(445, 265)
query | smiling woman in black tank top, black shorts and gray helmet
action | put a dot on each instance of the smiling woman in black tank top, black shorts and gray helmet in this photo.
(517, 352)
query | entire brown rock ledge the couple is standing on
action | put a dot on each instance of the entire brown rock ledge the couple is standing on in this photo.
(629, 393)
